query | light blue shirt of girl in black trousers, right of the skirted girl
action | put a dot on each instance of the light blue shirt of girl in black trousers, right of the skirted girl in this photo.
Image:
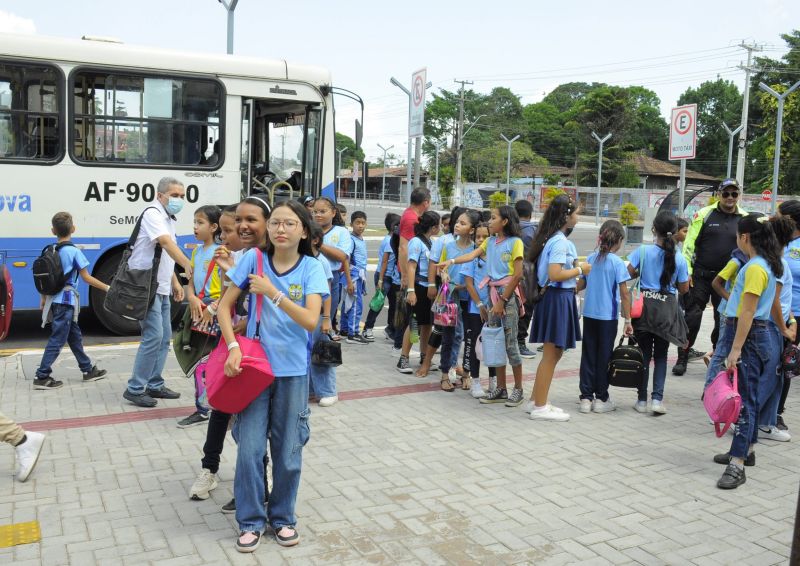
(601, 299)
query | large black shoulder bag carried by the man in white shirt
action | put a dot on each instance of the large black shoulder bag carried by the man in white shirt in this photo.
(132, 291)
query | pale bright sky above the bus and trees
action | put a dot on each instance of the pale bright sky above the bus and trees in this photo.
(528, 46)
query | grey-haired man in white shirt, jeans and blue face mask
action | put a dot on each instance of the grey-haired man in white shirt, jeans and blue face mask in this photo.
(146, 385)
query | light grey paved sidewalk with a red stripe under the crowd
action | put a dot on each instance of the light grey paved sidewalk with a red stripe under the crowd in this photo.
(398, 472)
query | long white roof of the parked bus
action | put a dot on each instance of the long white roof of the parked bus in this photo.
(106, 53)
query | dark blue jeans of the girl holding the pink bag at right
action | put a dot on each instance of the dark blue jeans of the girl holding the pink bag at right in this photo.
(757, 378)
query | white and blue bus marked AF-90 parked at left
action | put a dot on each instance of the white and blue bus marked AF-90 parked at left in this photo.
(89, 126)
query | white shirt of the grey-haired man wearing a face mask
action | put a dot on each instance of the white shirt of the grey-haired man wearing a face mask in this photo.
(156, 222)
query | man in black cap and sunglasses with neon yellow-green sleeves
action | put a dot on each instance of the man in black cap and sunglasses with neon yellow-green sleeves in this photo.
(708, 247)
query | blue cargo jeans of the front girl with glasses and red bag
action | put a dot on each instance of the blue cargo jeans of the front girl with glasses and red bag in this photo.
(281, 411)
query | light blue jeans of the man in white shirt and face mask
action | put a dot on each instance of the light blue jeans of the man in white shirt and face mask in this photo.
(154, 347)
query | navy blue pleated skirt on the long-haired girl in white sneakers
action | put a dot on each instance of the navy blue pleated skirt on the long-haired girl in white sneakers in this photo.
(555, 319)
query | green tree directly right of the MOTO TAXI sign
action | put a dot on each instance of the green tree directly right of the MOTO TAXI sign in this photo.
(717, 102)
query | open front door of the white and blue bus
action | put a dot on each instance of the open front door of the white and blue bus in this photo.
(281, 149)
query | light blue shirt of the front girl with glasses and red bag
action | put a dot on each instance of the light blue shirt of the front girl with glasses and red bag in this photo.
(280, 335)
